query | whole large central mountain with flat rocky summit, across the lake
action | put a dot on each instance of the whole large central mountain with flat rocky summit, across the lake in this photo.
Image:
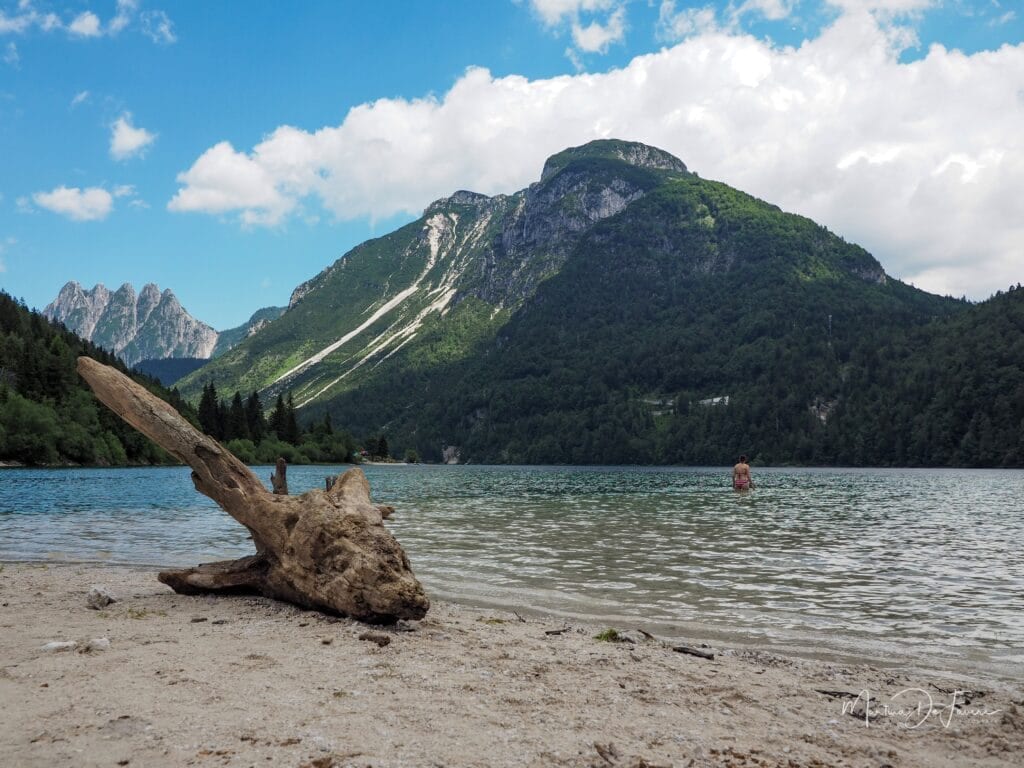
(622, 310)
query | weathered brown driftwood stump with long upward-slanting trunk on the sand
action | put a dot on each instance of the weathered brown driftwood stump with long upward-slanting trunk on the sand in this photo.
(326, 549)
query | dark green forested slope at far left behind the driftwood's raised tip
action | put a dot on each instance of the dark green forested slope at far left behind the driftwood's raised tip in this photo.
(48, 414)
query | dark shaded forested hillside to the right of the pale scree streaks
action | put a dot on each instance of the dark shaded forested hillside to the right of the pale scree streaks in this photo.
(701, 324)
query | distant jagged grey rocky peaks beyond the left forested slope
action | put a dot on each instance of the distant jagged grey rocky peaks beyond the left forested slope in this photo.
(152, 326)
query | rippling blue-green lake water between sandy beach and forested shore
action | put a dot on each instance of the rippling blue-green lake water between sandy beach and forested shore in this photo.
(883, 564)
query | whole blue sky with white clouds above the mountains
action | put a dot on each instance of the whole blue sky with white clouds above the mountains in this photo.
(230, 151)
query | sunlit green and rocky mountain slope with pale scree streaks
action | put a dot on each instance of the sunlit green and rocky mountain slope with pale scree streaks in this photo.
(458, 273)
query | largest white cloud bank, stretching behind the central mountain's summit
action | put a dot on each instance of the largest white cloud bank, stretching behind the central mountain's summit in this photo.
(920, 162)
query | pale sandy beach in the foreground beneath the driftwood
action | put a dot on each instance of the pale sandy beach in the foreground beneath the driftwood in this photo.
(246, 681)
